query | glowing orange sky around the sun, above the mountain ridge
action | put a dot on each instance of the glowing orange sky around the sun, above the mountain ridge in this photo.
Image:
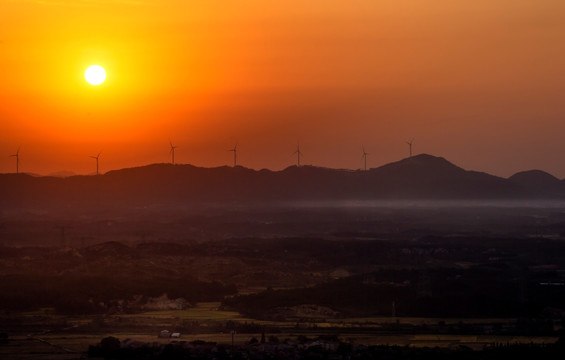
(479, 82)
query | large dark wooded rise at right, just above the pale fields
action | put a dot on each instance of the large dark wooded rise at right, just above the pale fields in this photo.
(431, 293)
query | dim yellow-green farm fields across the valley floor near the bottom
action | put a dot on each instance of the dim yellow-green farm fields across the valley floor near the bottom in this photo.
(77, 338)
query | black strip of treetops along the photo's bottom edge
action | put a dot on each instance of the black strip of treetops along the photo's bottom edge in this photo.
(321, 348)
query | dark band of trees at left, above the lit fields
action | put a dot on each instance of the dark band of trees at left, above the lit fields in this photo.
(84, 294)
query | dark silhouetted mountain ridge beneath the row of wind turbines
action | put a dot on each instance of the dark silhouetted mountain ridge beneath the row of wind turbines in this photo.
(420, 177)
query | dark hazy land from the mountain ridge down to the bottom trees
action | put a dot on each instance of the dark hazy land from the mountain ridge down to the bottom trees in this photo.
(302, 251)
